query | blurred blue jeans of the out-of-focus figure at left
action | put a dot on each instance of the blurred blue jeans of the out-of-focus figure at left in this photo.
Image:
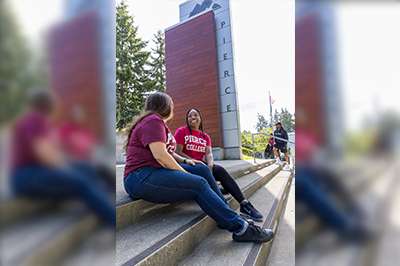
(79, 181)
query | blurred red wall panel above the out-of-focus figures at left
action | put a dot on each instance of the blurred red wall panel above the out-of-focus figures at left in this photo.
(74, 69)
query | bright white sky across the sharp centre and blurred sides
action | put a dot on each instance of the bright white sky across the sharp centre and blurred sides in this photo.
(264, 43)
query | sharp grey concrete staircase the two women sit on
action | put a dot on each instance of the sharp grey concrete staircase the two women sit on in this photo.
(181, 234)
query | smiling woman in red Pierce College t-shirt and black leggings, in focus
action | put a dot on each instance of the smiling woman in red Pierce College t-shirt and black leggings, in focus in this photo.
(193, 143)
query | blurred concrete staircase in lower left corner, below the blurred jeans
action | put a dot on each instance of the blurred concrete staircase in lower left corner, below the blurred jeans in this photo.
(42, 233)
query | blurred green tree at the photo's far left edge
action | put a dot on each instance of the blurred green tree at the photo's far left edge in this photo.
(19, 71)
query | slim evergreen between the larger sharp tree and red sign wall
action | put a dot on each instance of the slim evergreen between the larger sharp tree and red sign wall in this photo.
(158, 62)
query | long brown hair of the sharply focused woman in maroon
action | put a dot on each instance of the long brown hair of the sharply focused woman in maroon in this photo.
(157, 103)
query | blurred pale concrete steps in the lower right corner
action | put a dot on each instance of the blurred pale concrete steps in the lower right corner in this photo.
(375, 186)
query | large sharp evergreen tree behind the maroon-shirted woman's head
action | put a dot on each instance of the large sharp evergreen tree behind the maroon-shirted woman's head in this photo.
(133, 75)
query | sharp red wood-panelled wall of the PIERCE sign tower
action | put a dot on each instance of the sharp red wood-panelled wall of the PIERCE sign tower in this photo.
(192, 74)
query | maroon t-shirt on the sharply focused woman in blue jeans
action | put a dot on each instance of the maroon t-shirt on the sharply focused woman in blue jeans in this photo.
(151, 129)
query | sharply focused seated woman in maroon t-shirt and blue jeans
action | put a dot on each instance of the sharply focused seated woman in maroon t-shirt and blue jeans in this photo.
(154, 173)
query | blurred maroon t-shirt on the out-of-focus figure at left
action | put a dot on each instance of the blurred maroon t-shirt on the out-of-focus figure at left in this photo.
(31, 127)
